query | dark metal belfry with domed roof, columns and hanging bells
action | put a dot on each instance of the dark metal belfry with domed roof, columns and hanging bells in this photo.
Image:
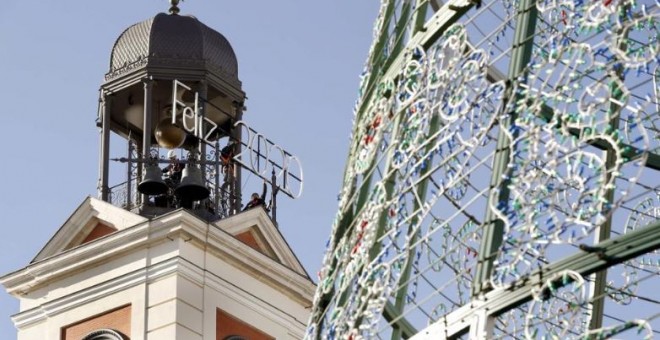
(172, 83)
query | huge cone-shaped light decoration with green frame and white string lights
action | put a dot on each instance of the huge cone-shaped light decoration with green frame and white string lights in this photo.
(503, 177)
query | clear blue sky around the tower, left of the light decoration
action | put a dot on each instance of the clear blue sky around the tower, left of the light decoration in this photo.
(299, 62)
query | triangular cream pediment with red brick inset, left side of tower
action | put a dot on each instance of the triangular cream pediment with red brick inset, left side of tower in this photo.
(93, 219)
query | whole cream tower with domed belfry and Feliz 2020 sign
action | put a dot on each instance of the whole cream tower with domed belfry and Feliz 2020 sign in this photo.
(167, 250)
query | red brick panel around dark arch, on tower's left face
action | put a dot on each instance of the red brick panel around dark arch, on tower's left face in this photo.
(117, 319)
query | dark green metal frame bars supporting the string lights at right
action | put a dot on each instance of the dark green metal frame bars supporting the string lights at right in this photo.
(487, 302)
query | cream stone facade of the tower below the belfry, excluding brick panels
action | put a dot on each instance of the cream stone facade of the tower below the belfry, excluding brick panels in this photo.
(174, 271)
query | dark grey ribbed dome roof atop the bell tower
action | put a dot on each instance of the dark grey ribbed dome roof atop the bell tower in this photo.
(175, 39)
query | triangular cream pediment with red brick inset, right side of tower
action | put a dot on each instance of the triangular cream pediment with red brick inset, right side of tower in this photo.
(255, 229)
